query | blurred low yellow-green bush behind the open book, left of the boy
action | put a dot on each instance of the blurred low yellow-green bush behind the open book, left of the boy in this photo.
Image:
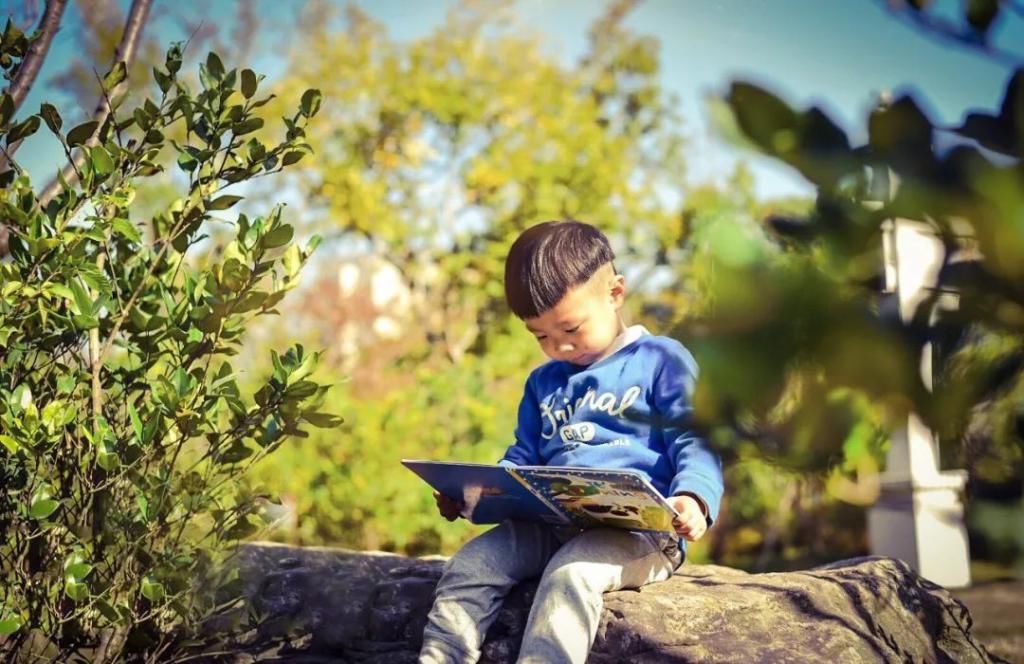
(347, 487)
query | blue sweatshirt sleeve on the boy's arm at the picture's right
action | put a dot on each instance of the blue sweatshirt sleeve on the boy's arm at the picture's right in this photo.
(698, 468)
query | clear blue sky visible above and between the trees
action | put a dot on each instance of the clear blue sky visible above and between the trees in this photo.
(836, 54)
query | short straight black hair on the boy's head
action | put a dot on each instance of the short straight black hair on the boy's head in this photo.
(550, 259)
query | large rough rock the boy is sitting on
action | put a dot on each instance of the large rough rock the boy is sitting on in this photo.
(371, 608)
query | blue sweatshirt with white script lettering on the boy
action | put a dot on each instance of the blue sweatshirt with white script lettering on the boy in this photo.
(630, 409)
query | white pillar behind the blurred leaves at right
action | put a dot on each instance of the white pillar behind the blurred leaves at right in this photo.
(919, 517)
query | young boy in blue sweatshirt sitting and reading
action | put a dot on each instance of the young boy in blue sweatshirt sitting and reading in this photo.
(612, 397)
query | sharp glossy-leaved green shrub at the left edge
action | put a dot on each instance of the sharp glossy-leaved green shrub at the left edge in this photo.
(124, 432)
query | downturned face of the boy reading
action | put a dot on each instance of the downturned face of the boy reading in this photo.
(583, 325)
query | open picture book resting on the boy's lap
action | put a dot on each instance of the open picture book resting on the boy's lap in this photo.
(558, 495)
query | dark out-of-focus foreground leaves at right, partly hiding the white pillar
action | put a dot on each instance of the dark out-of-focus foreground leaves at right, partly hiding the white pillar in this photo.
(804, 319)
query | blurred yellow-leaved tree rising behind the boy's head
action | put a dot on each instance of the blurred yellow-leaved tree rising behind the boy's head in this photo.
(437, 153)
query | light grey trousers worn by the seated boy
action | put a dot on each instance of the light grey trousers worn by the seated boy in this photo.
(576, 569)
